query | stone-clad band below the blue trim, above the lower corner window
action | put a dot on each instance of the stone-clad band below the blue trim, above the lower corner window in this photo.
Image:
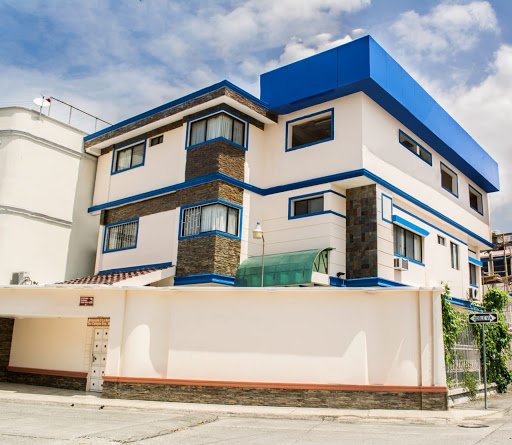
(171, 201)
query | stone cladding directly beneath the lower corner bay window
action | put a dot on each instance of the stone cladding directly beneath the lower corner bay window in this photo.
(208, 254)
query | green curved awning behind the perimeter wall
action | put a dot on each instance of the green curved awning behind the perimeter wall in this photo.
(283, 269)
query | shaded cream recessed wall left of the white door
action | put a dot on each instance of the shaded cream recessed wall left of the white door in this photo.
(57, 344)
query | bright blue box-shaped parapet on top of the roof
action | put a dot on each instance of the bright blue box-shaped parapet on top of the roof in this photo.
(362, 65)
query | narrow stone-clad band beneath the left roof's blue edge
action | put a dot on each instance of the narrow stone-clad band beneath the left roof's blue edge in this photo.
(223, 91)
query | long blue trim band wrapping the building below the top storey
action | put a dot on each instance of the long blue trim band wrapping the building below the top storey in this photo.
(294, 186)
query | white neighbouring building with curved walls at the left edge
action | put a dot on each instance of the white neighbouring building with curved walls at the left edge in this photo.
(46, 184)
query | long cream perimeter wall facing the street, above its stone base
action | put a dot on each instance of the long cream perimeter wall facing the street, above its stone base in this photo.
(294, 335)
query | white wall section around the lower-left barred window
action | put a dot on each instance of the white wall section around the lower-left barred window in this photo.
(157, 242)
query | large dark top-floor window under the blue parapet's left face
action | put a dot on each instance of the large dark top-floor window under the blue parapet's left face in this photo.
(310, 130)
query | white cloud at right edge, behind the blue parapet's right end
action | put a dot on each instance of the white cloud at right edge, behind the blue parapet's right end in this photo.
(485, 111)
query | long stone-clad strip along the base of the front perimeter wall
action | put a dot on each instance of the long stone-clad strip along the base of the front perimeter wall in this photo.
(276, 397)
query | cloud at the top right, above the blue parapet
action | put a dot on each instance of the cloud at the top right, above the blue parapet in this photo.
(447, 29)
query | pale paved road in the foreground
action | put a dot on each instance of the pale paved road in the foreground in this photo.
(35, 423)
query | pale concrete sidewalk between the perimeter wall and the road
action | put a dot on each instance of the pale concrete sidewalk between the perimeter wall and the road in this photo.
(471, 413)
